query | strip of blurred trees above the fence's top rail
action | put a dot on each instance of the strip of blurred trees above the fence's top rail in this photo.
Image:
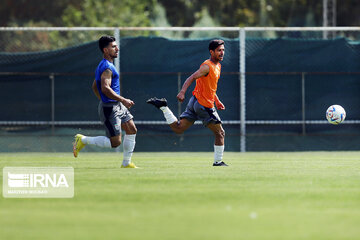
(209, 13)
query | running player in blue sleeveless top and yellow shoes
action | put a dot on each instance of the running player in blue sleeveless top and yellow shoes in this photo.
(113, 108)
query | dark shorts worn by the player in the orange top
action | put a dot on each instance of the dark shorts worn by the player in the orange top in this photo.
(195, 111)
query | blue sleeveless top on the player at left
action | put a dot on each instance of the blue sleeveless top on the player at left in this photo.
(115, 84)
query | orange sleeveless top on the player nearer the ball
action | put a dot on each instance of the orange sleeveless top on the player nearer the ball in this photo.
(206, 86)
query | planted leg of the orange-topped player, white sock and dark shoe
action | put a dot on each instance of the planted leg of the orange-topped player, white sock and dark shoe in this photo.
(219, 145)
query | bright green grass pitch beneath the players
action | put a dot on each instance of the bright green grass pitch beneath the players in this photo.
(308, 195)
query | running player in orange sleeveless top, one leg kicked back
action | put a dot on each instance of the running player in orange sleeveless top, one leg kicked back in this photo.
(201, 104)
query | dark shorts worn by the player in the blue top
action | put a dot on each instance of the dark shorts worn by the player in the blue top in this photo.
(112, 115)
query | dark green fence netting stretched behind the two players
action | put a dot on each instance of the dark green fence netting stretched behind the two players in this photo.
(276, 72)
